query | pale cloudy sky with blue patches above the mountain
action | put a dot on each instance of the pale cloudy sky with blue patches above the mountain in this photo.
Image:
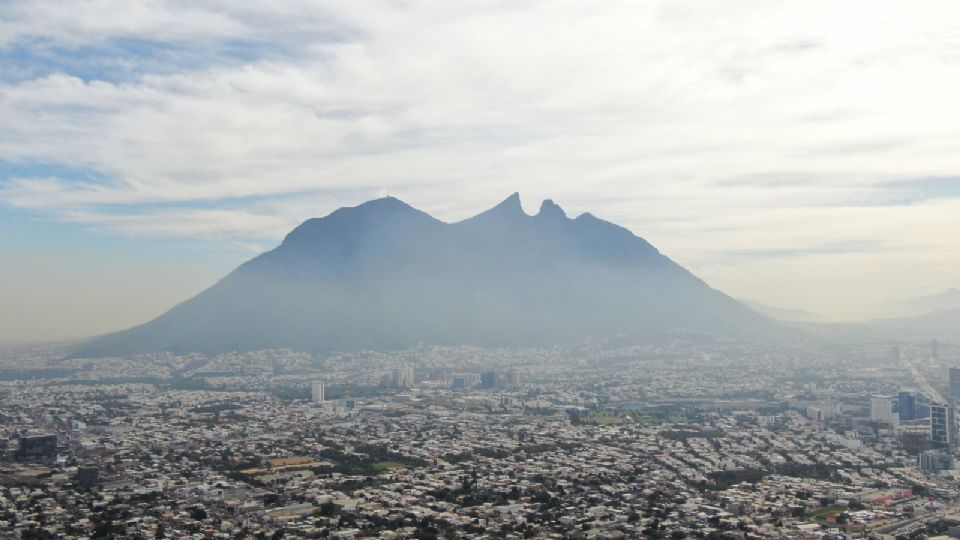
(804, 154)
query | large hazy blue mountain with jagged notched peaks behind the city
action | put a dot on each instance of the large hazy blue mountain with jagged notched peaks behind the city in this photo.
(385, 275)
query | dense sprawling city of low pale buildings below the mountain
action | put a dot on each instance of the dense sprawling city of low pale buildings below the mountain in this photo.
(683, 439)
